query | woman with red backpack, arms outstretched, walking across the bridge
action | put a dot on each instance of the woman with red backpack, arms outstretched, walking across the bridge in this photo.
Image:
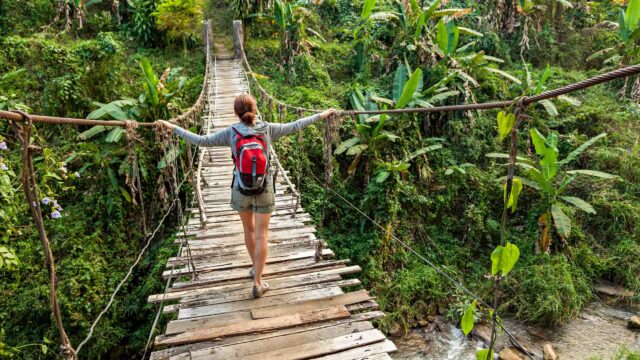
(252, 194)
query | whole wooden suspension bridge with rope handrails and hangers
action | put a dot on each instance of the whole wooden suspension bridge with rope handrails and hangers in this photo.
(312, 309)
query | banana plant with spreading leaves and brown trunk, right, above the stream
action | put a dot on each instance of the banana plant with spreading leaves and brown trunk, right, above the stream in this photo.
(546, 175)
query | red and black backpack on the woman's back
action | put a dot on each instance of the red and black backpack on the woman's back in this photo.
(252, 163)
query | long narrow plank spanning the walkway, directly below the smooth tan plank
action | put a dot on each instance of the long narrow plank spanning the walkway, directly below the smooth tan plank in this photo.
(233, 340)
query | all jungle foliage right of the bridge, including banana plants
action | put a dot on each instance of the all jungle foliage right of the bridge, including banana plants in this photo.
(436, 180)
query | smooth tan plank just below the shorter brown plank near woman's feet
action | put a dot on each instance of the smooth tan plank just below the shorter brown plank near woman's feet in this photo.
(317, 315)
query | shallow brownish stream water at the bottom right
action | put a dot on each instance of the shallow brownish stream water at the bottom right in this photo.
(600, 330)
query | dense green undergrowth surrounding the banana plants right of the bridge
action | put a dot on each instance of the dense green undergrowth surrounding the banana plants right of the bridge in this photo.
(447, 204)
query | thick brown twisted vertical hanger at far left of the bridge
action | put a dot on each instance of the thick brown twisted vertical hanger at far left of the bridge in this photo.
(30, 186)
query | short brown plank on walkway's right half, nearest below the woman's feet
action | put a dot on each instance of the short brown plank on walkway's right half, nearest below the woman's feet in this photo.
(342, 299)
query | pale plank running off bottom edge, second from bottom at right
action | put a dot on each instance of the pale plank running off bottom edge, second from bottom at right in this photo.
(321, 347)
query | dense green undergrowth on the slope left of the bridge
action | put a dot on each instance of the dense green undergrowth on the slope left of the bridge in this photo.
(71, 73)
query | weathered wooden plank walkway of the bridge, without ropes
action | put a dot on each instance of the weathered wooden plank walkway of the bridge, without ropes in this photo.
(308, 312)
